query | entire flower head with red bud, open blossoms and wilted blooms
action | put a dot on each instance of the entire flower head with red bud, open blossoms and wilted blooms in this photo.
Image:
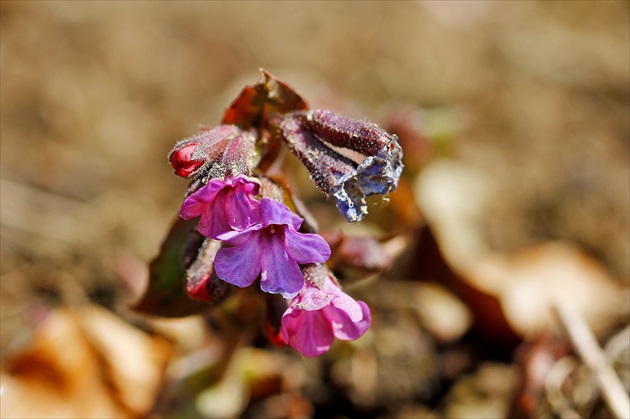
(253, 228)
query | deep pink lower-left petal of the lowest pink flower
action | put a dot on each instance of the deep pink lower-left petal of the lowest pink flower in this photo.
(307, 332)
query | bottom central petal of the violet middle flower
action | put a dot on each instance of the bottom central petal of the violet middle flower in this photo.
(279, 274)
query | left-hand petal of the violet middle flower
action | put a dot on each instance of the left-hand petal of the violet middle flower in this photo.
(239, 265)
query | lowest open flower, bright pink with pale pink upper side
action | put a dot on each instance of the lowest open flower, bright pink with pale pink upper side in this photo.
(320, 314)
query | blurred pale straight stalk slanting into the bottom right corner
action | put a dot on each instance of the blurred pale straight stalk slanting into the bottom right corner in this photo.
(586, 346)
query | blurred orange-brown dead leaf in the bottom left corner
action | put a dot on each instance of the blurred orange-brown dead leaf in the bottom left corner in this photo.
(84, 363)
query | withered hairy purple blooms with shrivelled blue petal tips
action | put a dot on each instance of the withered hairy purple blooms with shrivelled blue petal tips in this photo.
(308, 132)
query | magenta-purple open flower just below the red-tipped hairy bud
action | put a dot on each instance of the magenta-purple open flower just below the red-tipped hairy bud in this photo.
(224, 205)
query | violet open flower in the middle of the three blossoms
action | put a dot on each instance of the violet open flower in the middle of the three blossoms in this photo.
(272, 249)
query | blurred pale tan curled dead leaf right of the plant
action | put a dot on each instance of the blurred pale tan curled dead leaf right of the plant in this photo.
(512, 292)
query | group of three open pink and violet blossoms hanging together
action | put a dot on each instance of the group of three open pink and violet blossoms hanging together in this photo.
(261, 240)
